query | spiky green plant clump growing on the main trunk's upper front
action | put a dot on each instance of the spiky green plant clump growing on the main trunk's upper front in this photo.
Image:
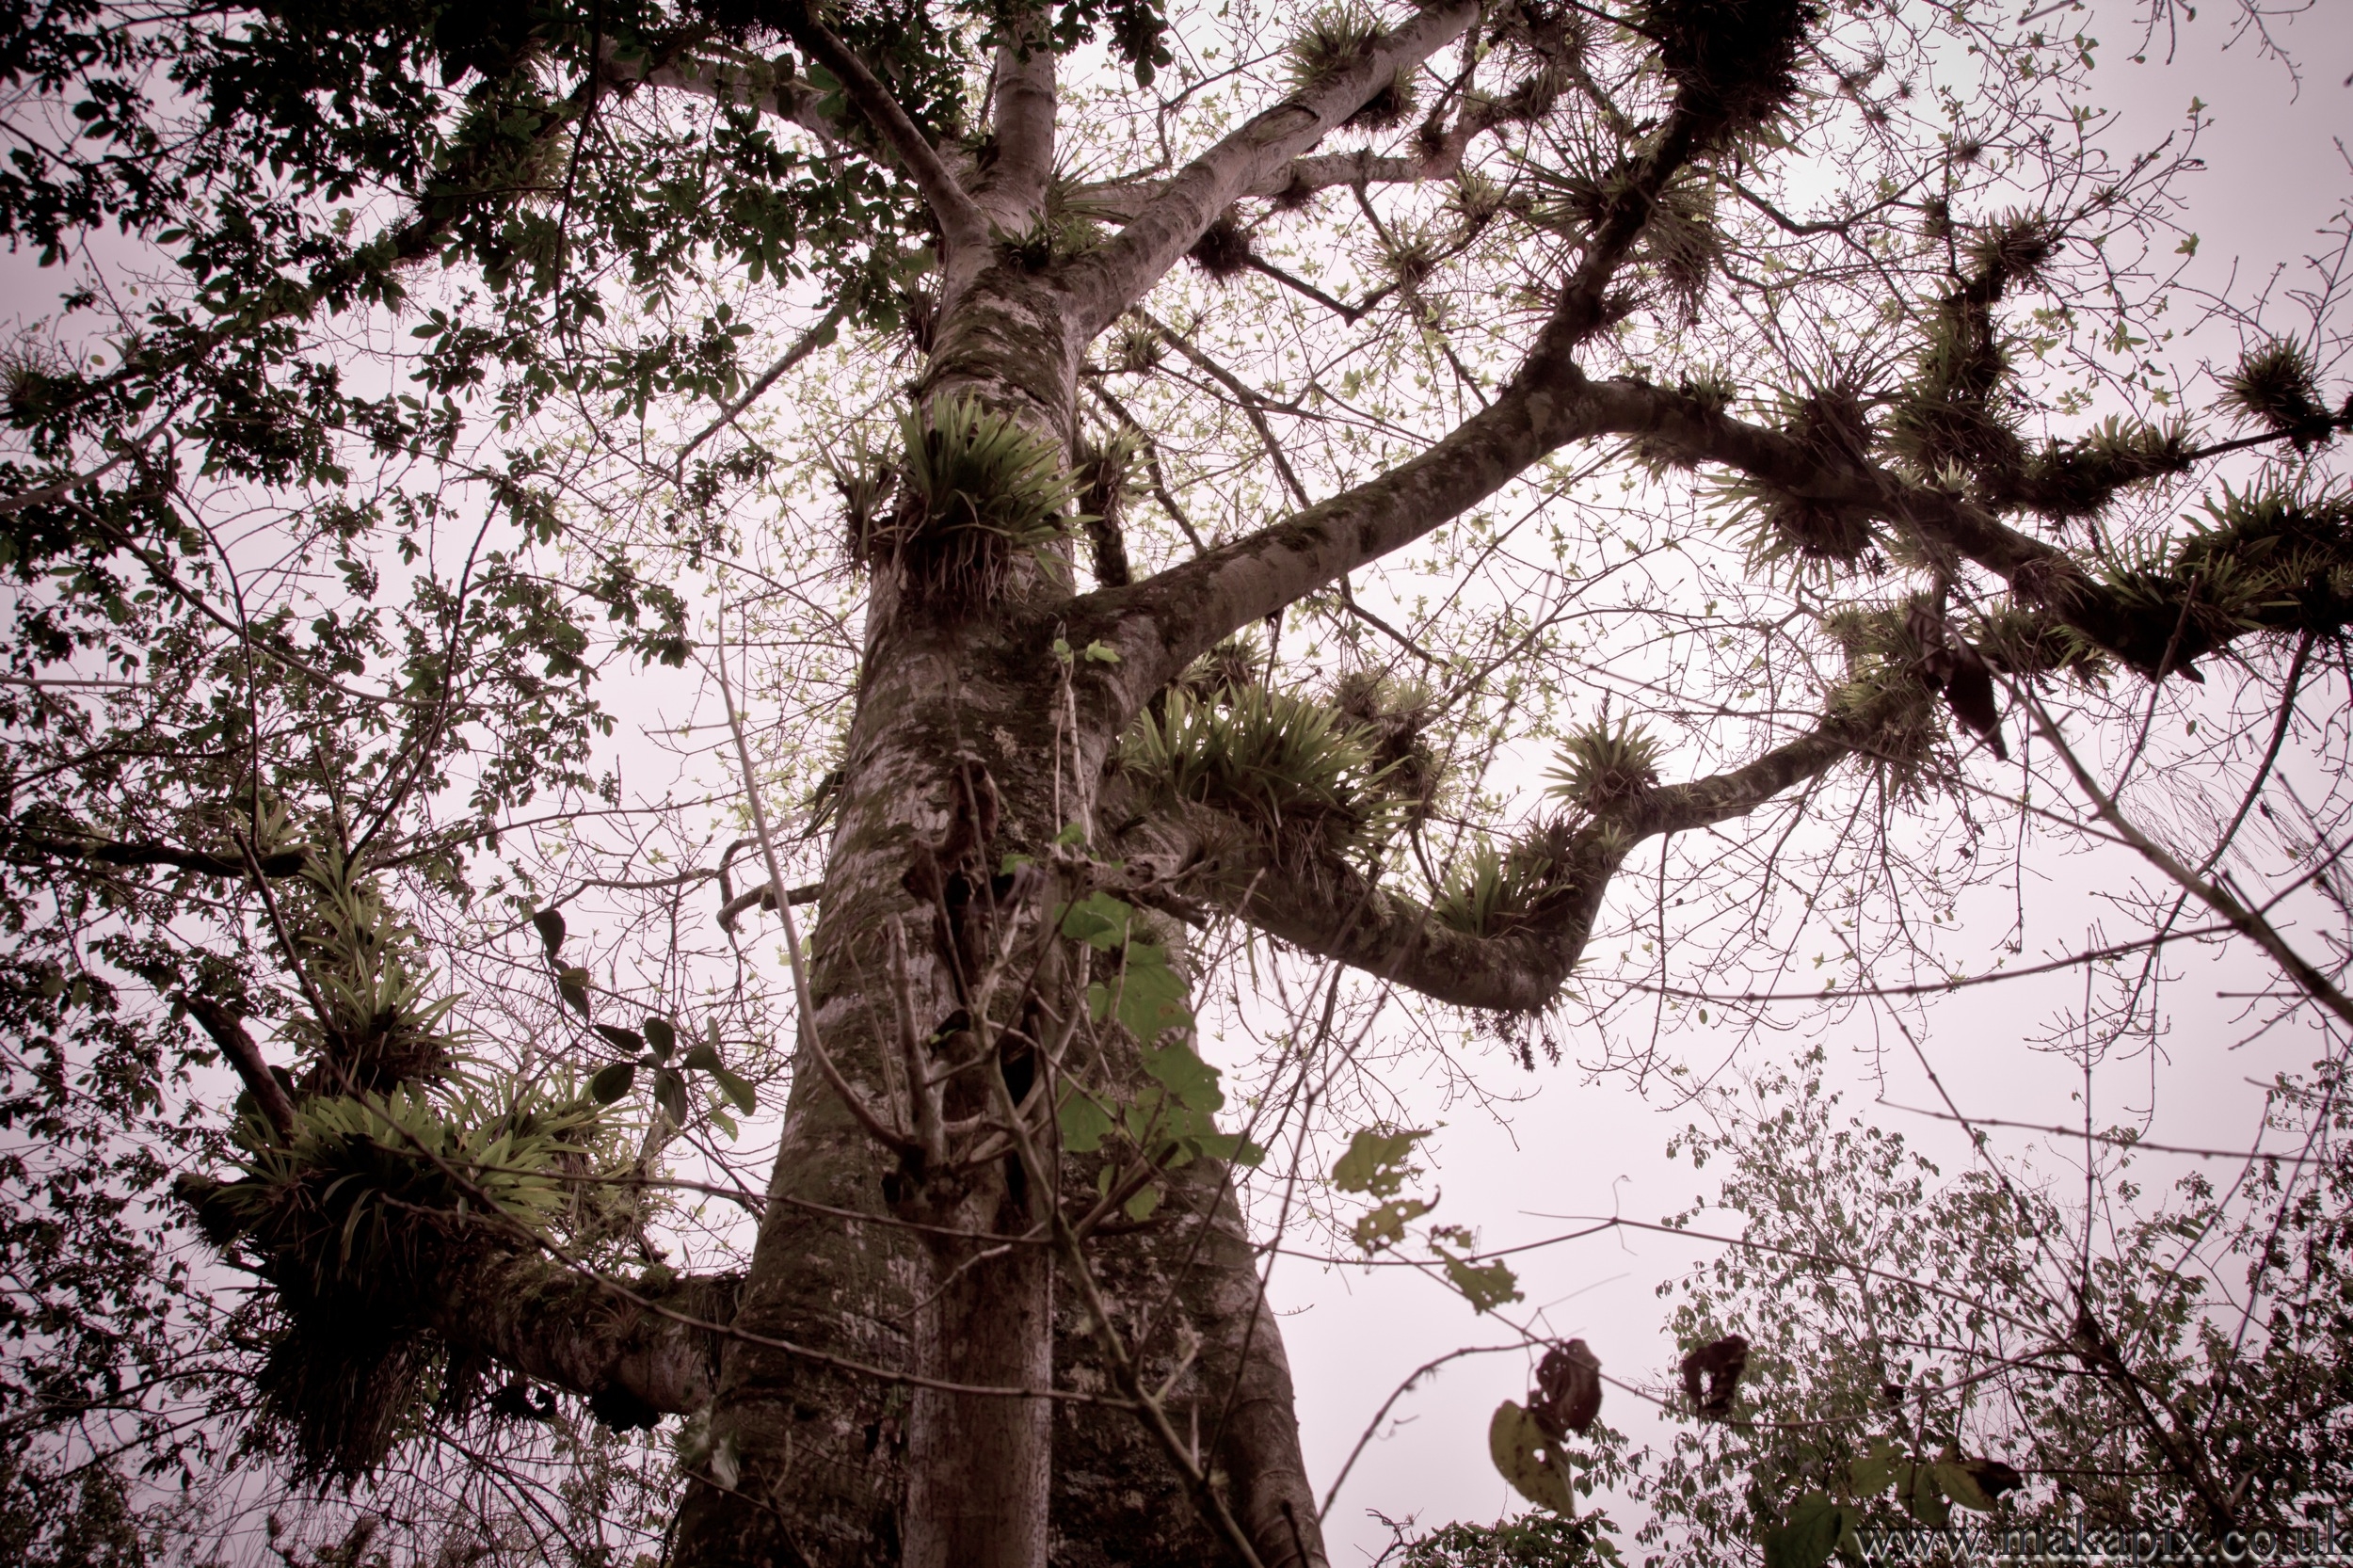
(978, 491)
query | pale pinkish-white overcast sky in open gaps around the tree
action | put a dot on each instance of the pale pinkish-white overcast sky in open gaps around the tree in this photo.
(1594, 1148)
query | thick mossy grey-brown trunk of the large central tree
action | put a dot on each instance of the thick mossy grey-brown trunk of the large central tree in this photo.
(844, 1468)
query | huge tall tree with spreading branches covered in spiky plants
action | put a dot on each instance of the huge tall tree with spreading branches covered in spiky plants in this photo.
(436, 359)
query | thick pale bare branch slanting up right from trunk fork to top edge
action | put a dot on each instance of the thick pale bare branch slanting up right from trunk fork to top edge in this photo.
(1121, 272)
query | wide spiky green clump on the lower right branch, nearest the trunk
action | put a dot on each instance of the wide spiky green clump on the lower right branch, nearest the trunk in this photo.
(1291, 769)
